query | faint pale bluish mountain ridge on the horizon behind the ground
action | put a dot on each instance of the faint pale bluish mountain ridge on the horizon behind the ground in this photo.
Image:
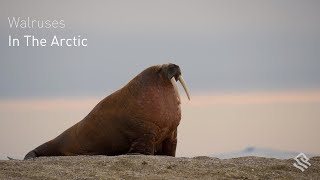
(260, 152)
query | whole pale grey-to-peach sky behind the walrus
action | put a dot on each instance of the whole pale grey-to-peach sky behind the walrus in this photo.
(252, 68)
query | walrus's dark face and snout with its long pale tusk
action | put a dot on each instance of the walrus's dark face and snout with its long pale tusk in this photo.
(174, 71)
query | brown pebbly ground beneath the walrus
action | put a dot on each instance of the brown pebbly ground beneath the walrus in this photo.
(155, 167)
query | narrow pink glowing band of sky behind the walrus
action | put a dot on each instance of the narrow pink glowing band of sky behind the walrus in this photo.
(196, 100)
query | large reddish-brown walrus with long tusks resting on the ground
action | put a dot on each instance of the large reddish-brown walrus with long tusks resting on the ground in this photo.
(140, 118)
